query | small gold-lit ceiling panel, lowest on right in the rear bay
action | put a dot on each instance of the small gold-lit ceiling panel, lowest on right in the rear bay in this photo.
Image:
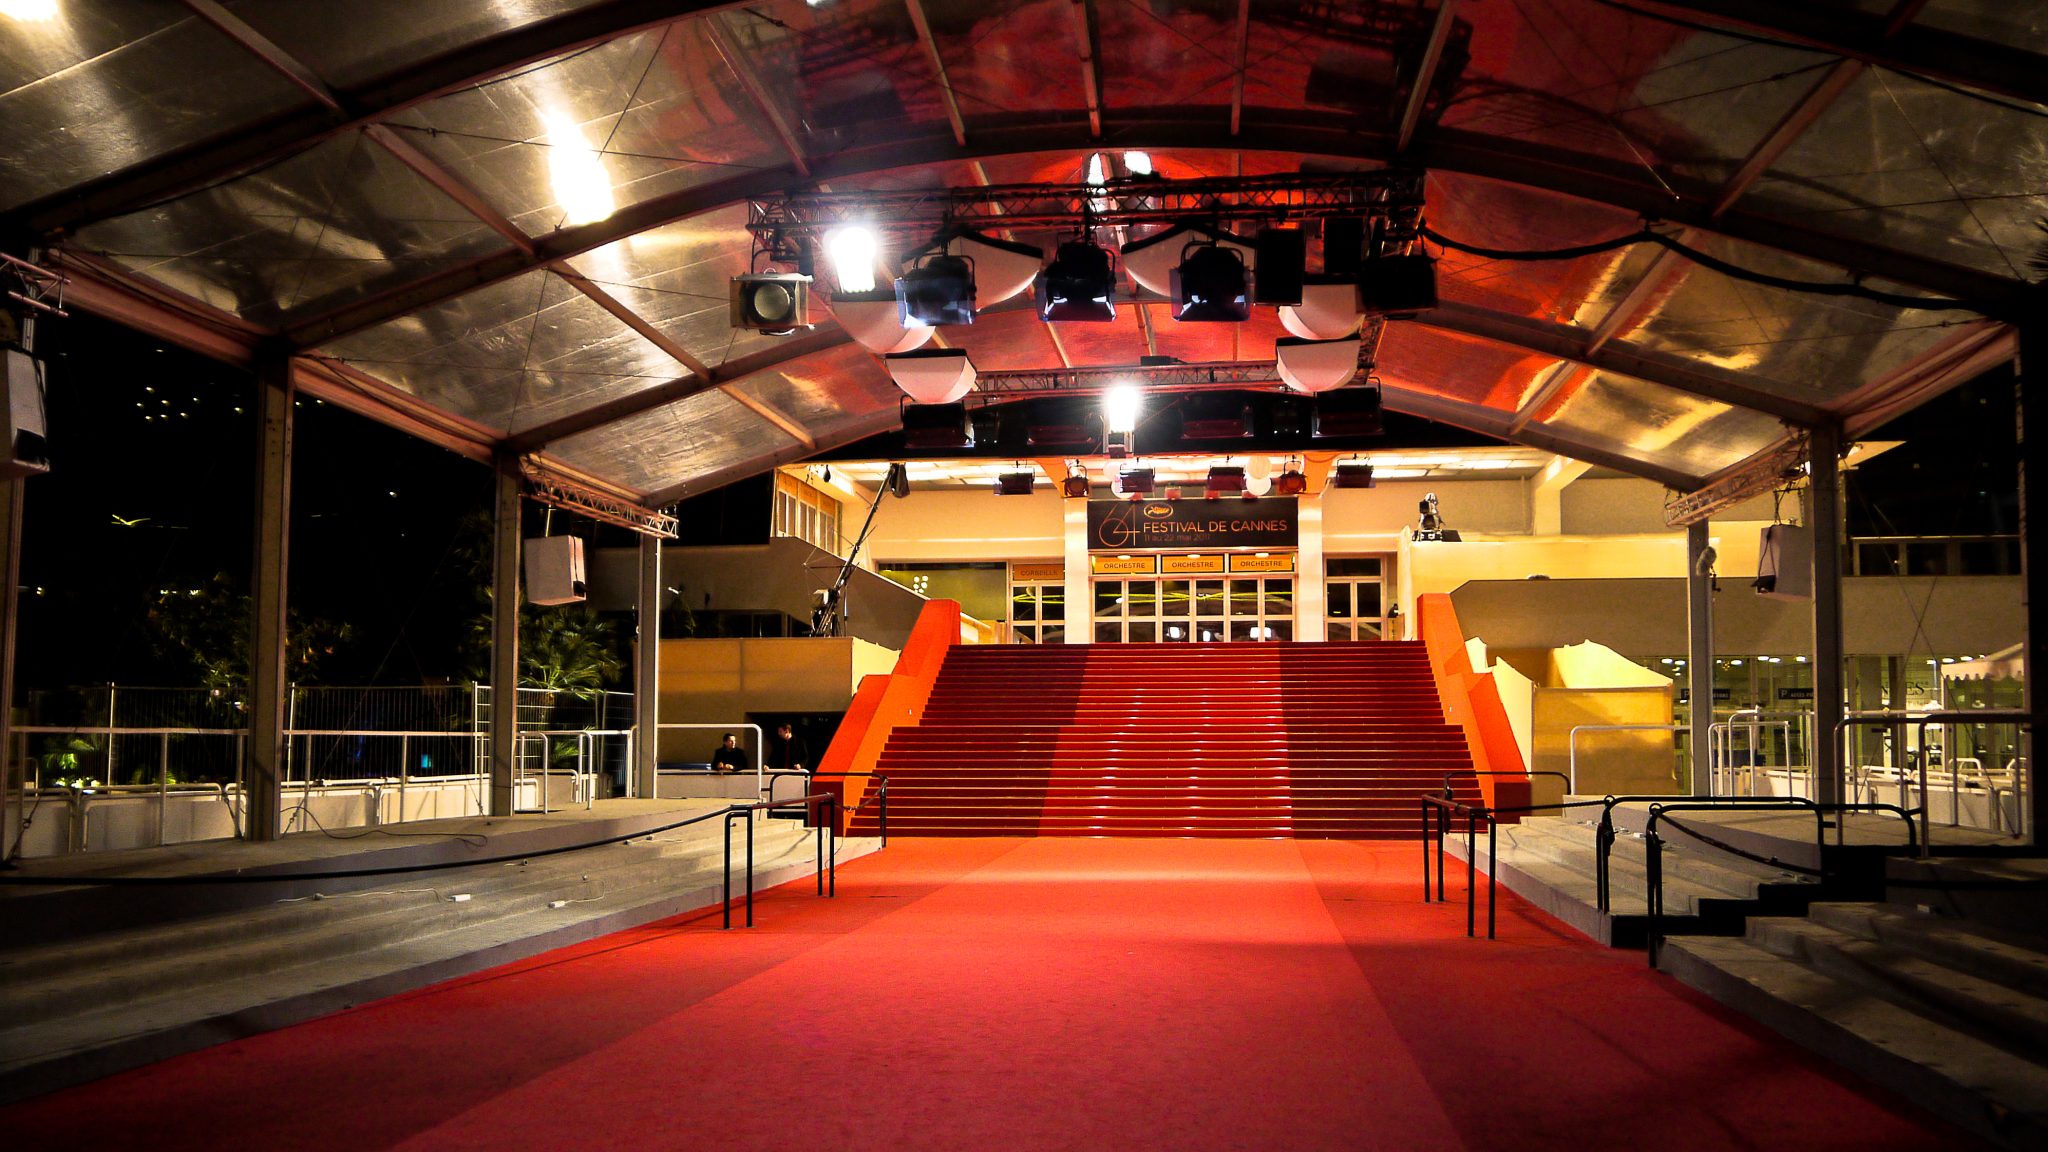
(1658, 425)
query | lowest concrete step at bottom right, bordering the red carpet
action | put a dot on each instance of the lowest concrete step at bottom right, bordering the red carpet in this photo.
(1940, 1067)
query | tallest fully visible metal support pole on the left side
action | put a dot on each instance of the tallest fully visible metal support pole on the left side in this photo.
(263, 772)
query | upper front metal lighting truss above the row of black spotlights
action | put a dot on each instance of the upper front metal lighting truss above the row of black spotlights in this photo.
(1394, 198)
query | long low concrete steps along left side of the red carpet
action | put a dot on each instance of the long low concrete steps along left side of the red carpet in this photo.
(175, 993)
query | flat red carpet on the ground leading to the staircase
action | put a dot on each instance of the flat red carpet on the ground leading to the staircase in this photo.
(1027, 995)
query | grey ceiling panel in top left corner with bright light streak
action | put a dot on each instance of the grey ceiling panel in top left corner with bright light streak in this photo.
(99, 87)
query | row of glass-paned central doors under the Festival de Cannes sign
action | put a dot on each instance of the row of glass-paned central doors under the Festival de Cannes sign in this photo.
(1201, 610)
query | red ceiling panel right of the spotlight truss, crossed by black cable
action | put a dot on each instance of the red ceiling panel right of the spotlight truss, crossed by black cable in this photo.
(1494, 214)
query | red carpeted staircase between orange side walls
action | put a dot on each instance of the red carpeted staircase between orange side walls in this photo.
(1310, 741)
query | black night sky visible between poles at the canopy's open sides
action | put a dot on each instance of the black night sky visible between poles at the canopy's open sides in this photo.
(167, 442)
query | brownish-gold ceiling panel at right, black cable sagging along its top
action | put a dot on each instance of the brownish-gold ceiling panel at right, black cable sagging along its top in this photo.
(1801, 345)
